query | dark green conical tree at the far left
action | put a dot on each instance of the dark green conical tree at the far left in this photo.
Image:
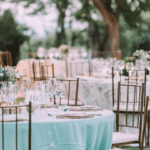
(11, 35)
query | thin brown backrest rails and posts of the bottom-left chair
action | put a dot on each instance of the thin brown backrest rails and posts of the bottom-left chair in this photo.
(16, 126)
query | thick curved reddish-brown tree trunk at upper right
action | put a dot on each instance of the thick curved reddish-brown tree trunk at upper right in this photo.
(112, 26)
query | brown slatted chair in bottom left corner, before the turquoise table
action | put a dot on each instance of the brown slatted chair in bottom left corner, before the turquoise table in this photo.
(3, 122)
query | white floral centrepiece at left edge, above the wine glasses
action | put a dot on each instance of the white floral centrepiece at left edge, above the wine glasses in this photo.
(9, 74)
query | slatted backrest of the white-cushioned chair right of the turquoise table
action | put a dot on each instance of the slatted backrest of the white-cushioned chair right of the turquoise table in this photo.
(133, 105)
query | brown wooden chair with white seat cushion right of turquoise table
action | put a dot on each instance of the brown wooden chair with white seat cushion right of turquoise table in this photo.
(134, 109)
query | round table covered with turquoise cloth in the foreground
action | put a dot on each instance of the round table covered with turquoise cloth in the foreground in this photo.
(51, 133)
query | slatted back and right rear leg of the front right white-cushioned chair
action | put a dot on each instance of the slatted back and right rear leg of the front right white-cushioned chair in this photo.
(136, 107)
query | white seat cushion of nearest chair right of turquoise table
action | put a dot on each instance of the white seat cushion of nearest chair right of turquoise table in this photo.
(119, 137)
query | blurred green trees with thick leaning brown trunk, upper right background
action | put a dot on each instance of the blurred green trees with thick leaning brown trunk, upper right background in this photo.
(121, 27)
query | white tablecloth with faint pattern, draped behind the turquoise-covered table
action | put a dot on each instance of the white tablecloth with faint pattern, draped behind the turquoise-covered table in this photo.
(99, 92)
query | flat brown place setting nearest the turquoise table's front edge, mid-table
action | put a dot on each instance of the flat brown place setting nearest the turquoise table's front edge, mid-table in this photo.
(74, 116)
